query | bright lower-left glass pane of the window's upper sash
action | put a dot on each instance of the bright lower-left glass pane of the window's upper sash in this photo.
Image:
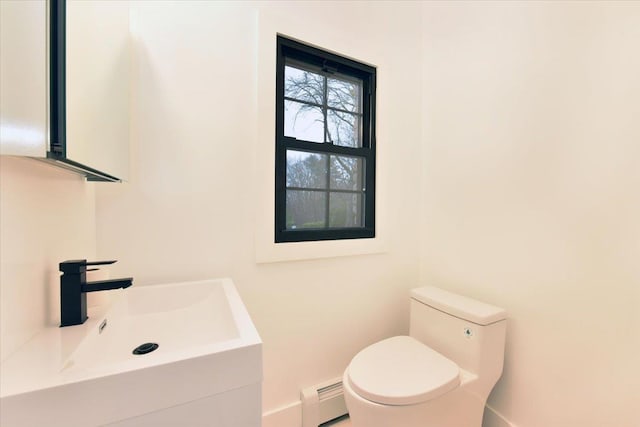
(303, 121)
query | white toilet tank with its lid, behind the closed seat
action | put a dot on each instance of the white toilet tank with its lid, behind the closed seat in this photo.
(468, 332)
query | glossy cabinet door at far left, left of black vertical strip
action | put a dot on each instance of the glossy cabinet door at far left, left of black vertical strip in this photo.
(23, 78)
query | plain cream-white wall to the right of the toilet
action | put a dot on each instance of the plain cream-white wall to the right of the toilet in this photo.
(531, 195)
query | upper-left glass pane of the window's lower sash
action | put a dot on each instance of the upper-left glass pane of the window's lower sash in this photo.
(308, 170)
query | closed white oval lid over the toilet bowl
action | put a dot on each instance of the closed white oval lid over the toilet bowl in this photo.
(401, 371)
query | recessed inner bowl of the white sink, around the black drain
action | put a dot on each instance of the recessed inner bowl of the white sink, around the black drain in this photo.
(183, 319)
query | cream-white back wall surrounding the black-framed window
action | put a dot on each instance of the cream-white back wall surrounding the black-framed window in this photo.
(201, 159)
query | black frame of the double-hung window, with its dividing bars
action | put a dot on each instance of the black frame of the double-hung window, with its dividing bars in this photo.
(329, 63)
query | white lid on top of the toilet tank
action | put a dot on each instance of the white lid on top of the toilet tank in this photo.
(459, 306)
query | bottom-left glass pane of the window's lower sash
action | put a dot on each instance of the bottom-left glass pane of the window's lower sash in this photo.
(306, 209)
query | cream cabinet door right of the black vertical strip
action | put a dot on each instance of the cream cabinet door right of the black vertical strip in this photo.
(98, 60)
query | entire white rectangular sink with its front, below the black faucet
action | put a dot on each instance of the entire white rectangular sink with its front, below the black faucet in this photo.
(208, 352)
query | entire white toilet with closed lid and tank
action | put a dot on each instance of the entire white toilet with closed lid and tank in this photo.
(440, 375)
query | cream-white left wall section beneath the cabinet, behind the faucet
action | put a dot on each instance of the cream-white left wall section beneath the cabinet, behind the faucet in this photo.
(47, 215)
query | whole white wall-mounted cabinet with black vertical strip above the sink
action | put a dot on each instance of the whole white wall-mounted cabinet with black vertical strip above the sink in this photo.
(64, 84)
